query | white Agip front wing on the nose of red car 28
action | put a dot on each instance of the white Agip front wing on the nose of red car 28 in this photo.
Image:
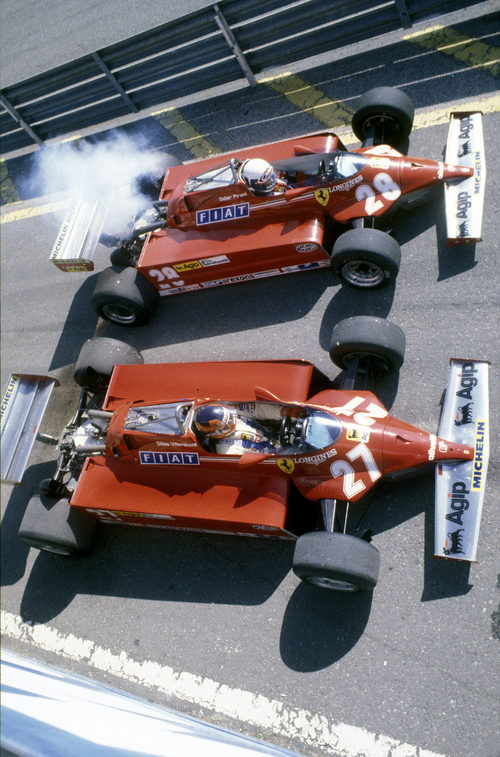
(464, 199)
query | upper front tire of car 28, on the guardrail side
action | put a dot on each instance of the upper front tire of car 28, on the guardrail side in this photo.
(385, 113)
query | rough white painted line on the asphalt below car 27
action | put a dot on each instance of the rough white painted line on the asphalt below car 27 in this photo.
(310, 728)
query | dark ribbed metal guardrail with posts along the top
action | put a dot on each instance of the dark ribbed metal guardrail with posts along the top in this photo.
(222, 43)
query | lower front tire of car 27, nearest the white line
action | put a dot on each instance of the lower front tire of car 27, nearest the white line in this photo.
(338, 562)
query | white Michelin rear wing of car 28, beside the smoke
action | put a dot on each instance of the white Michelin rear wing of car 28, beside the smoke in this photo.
(79, 233)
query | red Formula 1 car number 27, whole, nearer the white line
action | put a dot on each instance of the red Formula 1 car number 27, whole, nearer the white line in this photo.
(252, 448)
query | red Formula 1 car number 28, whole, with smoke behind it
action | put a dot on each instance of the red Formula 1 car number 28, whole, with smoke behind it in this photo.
(280, 208)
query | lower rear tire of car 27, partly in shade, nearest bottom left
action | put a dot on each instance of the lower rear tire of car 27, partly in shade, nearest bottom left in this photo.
(52, 525)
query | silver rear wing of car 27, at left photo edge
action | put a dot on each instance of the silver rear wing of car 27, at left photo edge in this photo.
(23, 405)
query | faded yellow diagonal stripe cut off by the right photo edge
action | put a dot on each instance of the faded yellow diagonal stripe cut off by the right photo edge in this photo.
(469, 50)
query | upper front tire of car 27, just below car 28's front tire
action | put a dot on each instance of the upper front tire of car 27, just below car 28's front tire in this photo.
(364, 336)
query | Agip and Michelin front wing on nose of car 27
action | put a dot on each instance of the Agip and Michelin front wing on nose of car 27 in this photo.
(460, 486)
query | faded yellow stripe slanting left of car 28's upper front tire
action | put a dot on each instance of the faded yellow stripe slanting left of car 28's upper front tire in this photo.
(310, 99)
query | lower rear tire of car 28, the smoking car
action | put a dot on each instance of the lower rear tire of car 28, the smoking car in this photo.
(125, 298)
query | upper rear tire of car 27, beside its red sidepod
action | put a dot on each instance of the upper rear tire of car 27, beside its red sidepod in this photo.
(97, 359)
